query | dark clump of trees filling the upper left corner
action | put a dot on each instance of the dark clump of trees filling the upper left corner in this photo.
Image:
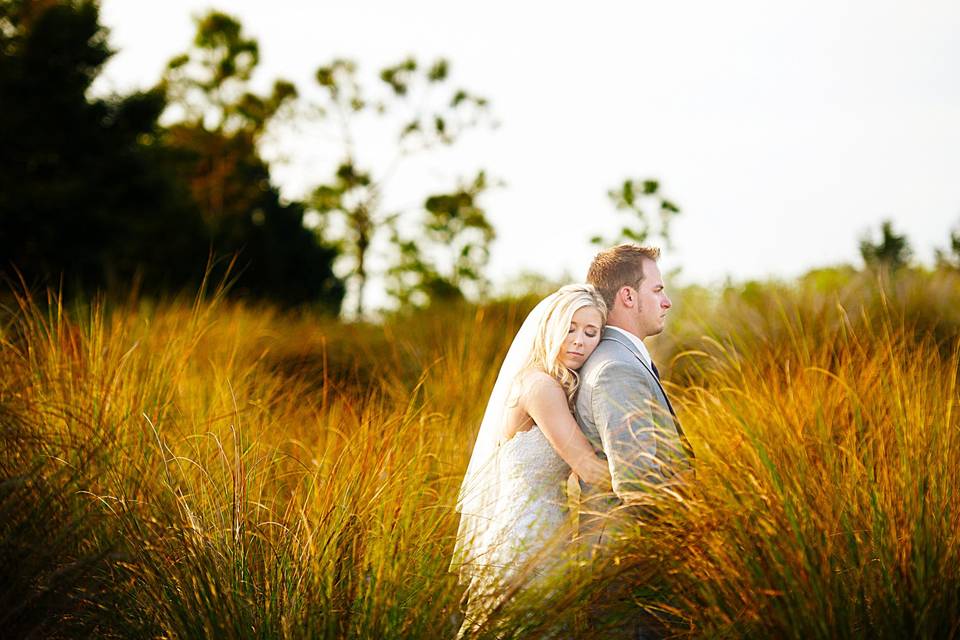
(97, 193)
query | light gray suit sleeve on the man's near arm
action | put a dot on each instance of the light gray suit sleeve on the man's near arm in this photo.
(627, 421)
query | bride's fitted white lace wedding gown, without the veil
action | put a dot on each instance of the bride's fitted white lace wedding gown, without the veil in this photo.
(529, 532)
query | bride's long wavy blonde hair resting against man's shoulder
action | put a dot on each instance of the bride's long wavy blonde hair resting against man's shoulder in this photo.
(553, 328)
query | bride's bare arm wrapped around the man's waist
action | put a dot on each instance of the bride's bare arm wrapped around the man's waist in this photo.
(546, 403)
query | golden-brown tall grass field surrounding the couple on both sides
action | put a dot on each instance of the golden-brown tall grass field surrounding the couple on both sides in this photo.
(208, 469)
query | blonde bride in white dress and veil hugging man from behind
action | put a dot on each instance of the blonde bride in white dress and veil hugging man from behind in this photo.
(512, 501)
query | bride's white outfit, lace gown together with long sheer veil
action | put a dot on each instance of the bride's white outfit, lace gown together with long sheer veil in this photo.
(514, 526)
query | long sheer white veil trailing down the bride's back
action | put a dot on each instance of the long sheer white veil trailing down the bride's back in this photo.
(477, 499)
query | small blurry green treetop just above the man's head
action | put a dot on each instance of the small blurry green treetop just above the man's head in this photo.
(649, 212)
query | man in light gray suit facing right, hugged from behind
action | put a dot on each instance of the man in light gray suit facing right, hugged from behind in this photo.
(621, 406)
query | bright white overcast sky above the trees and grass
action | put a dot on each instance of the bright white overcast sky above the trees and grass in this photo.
(784, 131)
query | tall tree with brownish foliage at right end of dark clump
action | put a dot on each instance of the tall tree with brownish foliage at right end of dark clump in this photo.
(219, 124)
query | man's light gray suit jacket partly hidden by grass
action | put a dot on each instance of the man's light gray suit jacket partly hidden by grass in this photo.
(624, 412)
